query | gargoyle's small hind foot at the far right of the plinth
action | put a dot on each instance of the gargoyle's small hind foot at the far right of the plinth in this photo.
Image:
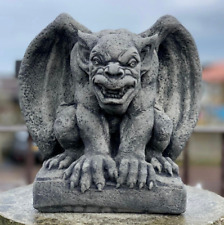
(165, 164)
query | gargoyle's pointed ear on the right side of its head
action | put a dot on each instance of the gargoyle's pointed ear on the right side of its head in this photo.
(146, 47)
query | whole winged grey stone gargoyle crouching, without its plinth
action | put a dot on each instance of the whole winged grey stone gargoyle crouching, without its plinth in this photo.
(113, 105)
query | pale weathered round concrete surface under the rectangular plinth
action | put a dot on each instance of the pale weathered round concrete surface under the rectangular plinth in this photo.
(203, 207)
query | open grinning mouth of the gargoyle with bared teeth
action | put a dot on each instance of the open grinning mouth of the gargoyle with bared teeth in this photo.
(117, 93)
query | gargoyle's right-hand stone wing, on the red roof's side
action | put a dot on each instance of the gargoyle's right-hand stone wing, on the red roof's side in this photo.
(179, 80)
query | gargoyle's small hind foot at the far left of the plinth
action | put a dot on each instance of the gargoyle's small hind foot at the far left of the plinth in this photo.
(60, 161)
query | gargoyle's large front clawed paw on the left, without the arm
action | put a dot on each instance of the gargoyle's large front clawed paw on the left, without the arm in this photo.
(90, 169)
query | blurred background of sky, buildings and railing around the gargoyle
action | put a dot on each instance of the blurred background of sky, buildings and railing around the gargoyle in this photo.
(201, 163)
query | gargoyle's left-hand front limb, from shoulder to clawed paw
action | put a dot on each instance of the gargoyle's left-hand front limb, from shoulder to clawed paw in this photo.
(90, 167)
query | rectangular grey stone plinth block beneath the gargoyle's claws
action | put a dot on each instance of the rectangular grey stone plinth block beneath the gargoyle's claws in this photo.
(52, 194)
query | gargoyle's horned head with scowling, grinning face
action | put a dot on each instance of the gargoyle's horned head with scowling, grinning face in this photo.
(115, 68)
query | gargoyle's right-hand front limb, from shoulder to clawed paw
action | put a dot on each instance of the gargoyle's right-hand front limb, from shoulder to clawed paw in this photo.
(132, 167)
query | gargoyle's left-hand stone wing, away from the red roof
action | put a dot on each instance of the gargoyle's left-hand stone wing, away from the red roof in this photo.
(45, 80)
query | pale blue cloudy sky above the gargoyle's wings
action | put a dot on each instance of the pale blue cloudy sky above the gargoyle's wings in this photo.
(22, 20)
